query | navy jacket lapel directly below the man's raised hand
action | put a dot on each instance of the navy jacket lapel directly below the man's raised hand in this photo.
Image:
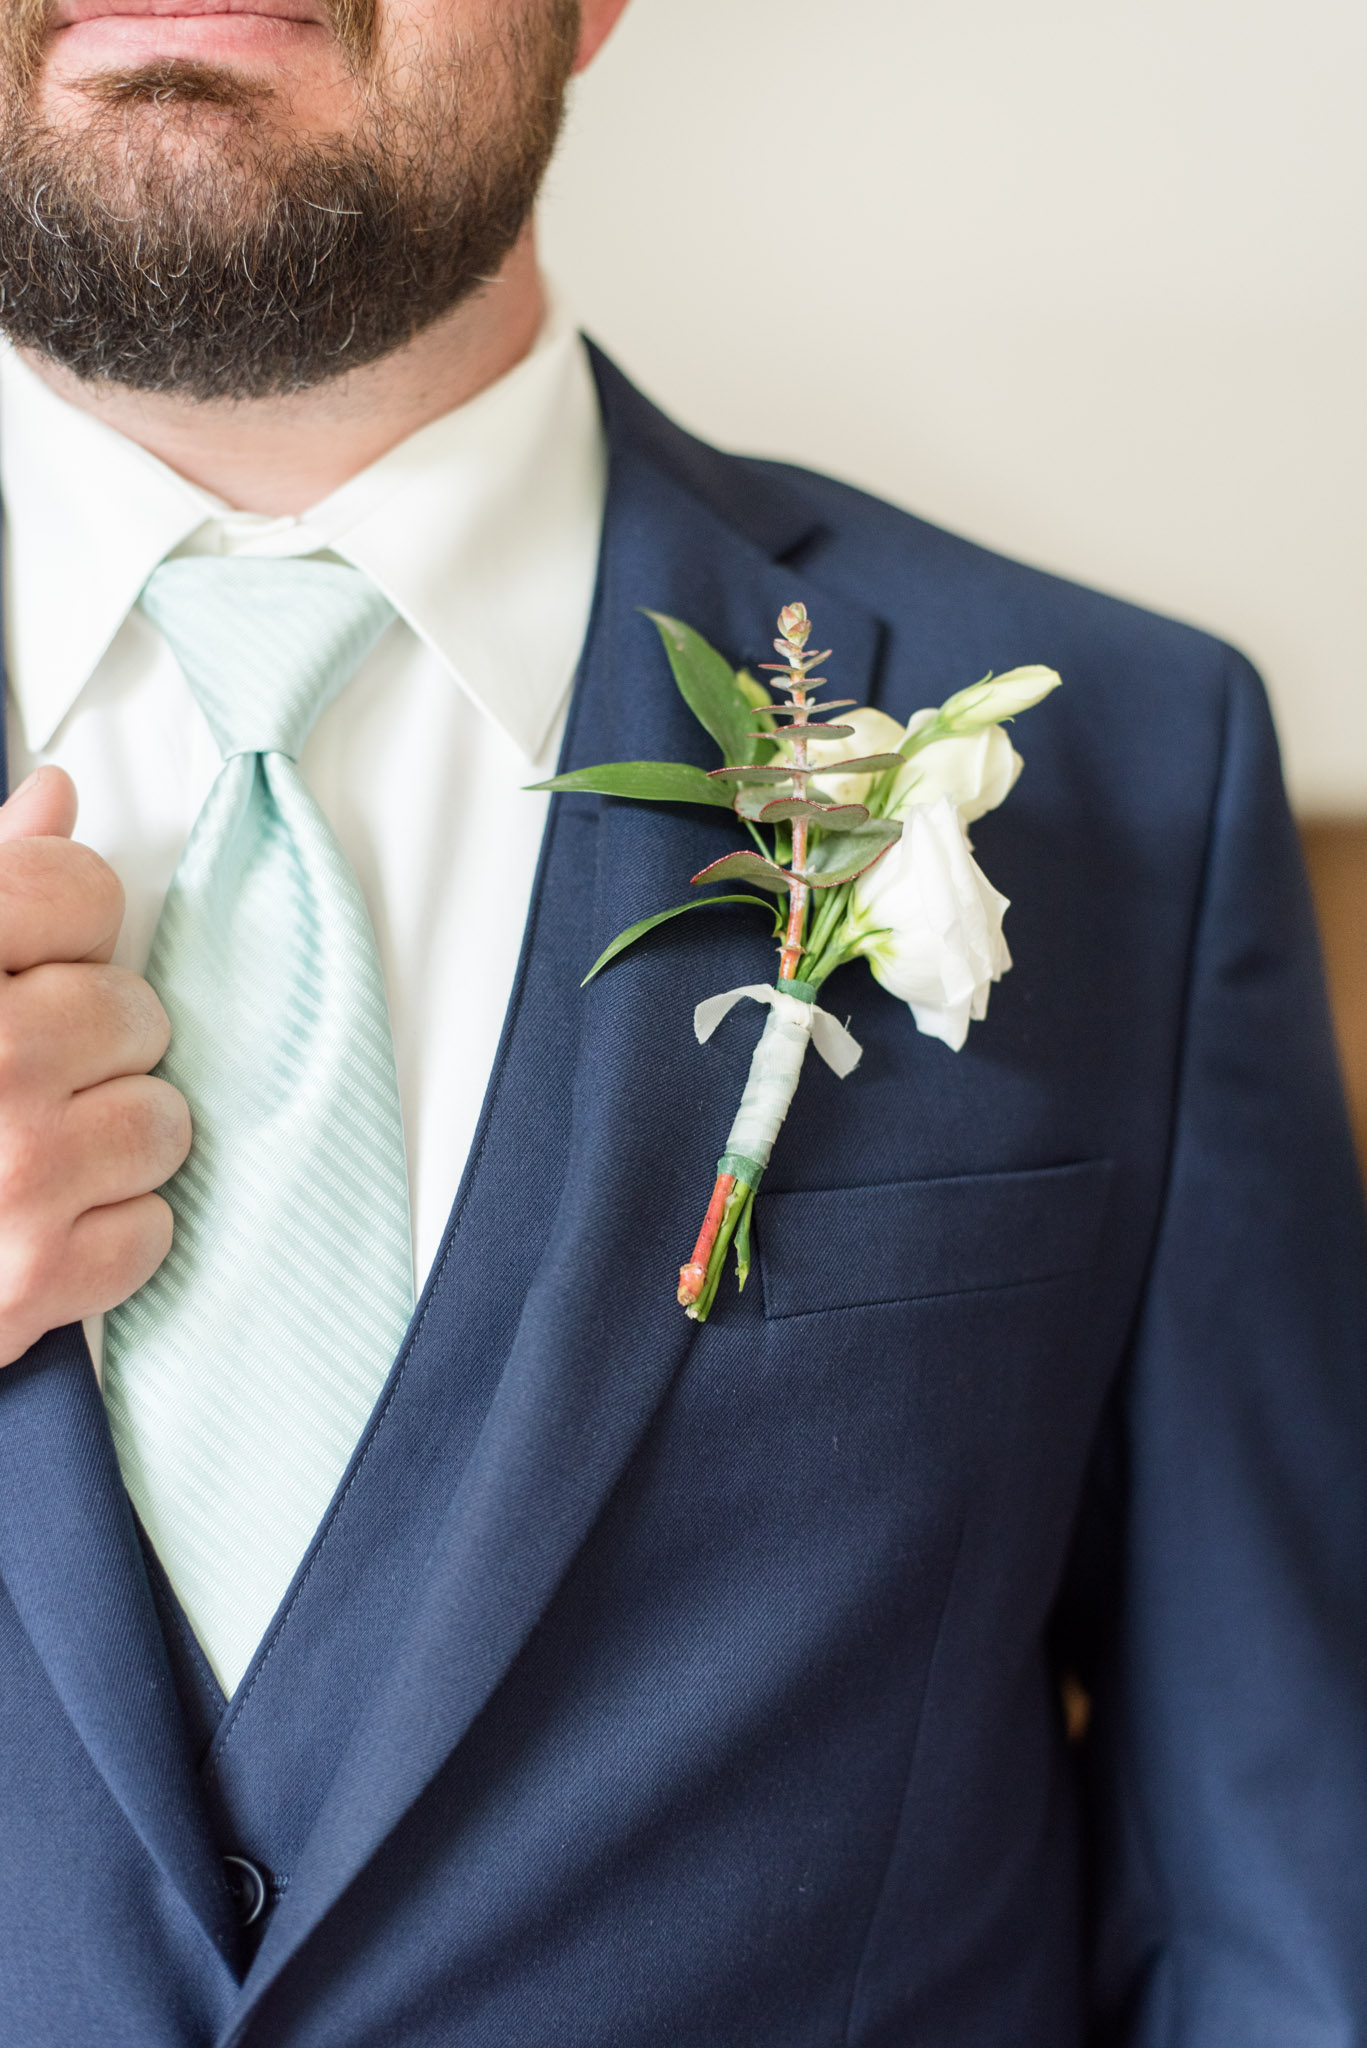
(75, 1570)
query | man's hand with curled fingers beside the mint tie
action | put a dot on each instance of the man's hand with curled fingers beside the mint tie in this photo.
(85, 1132)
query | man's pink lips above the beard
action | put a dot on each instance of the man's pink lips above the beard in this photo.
(93, 36)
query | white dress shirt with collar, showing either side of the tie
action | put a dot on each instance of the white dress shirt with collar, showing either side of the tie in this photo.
(483, 529)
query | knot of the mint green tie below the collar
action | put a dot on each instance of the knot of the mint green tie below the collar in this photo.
(265, 646)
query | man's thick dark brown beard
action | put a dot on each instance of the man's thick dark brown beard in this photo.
(181, 243)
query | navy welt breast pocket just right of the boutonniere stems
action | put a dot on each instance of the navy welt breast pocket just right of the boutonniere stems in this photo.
(917, 1240)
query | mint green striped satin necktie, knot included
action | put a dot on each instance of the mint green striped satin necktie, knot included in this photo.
(241, 1377)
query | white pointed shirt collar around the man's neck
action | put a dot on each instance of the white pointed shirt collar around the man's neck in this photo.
(483, 529)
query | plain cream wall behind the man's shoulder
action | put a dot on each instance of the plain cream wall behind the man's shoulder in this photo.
(1079, 278)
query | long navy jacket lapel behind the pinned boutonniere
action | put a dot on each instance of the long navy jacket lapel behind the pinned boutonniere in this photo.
(599, 1334)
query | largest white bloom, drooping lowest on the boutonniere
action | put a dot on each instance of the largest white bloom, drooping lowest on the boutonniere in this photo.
(934, 923)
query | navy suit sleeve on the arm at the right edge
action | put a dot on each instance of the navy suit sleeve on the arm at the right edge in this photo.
(1225, 1562)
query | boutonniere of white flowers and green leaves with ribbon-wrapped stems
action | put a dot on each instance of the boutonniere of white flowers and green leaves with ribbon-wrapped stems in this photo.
(860, 833)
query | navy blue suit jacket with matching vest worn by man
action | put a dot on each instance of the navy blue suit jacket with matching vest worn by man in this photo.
(653, 1684)
